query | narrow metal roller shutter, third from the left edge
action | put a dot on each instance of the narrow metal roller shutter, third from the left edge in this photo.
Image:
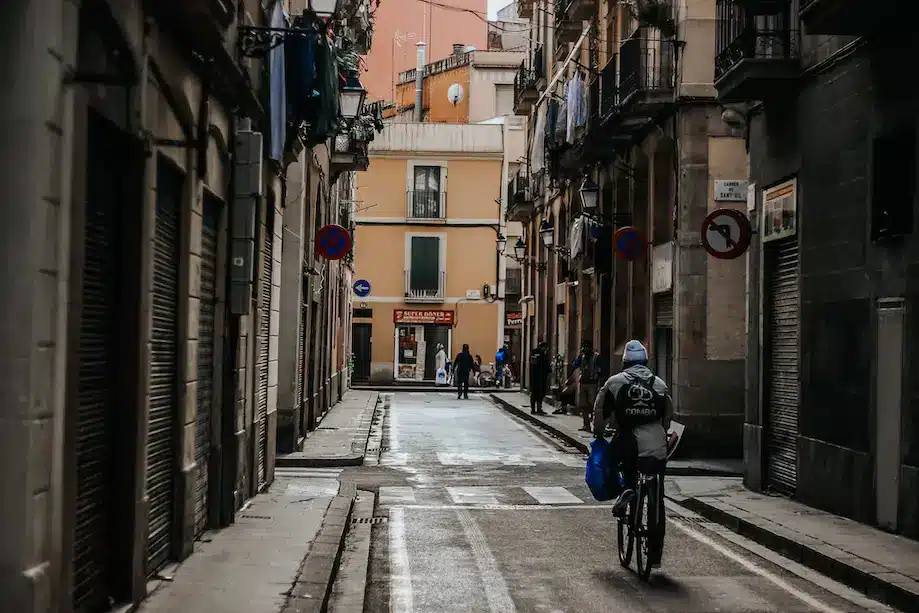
(206, 333)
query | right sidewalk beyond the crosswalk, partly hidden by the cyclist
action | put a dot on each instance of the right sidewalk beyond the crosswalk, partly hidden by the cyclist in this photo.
(568, 428)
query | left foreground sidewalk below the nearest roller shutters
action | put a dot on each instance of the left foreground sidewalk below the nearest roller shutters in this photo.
(256, 565)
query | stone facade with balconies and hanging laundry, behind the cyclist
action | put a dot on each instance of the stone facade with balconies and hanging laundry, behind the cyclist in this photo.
(652, 143)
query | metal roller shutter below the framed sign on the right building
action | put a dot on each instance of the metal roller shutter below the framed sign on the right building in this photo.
(782, 426)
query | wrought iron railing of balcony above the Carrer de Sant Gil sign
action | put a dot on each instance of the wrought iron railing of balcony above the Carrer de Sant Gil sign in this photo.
(743, 35)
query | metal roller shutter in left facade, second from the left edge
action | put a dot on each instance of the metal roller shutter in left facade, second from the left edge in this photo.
(162, 427)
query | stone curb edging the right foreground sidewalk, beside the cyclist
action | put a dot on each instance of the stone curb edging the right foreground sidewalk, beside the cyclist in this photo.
(874, 581)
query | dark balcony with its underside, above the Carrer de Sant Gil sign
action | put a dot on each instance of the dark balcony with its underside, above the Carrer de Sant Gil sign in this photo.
(757, 56)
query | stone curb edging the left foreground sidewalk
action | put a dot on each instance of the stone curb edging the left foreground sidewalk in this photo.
(313, 586)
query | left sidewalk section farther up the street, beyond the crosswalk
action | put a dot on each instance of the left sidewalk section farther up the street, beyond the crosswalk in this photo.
(341, 437)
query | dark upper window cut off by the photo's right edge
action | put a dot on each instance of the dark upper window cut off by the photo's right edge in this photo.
(893, 192)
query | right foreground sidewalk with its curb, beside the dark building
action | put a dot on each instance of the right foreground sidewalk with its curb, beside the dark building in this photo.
(883, 566)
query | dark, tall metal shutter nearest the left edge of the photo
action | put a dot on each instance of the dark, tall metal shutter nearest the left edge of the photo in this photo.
(96, 355)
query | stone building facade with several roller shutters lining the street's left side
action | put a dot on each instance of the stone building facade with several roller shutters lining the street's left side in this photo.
(143, 389)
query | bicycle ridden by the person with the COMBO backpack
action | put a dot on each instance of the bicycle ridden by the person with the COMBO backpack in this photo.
(641, 527)
